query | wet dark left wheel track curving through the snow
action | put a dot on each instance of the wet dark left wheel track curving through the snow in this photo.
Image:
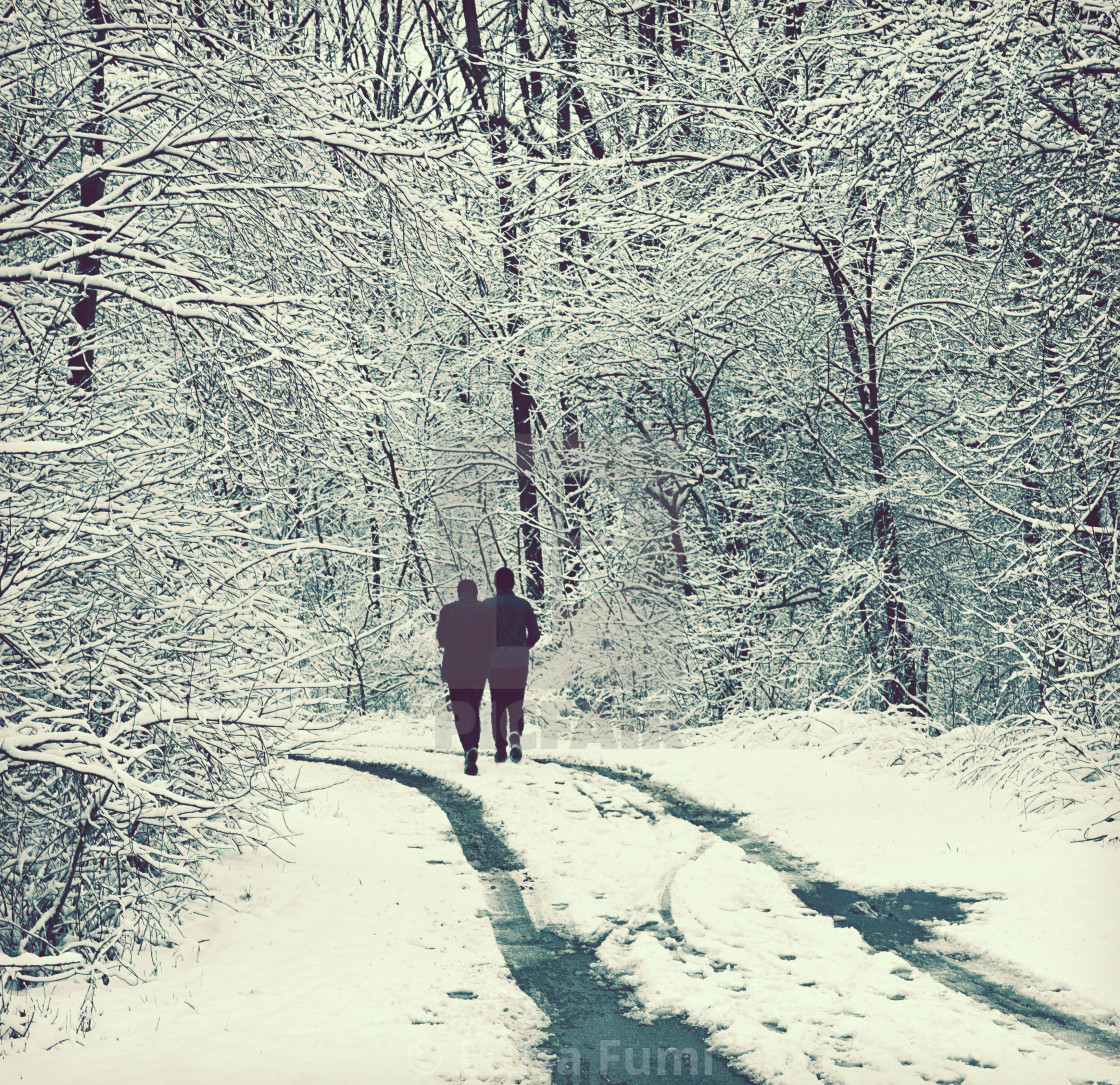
(593, 1041)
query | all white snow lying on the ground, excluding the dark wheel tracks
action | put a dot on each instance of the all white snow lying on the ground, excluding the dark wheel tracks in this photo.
(344, 951)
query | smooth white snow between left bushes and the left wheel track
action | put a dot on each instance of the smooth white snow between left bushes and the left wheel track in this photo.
(357, 953)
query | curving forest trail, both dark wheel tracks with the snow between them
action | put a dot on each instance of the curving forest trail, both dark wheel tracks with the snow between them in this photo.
(735, 948)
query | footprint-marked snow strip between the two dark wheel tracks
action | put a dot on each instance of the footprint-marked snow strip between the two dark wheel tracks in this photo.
(785, 994)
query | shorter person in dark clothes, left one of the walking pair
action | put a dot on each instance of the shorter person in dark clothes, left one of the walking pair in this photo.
(466, 633)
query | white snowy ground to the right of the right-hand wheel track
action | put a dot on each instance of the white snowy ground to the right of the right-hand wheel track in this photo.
(1053, 913)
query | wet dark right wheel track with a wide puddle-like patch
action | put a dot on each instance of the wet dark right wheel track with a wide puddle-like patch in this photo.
(890, 921)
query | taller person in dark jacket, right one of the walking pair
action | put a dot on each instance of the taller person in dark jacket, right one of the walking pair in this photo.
(516, 633)
